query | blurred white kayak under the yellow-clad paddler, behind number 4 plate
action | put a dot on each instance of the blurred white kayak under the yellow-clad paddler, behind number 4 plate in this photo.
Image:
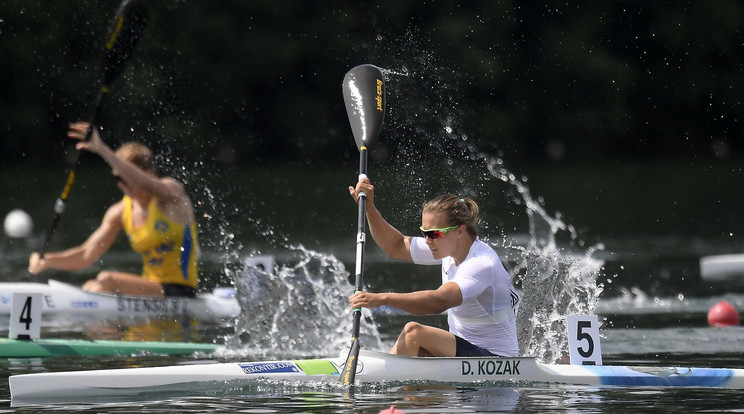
(63, 299)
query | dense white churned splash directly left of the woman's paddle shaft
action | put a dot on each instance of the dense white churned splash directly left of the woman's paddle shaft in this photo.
(297, 310)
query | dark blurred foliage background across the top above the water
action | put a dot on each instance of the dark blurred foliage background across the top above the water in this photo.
(239, 82)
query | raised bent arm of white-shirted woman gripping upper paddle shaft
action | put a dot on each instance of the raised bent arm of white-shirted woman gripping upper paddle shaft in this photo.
(391, 241)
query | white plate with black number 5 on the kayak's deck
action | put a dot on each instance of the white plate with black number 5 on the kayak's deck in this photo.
(583, 340)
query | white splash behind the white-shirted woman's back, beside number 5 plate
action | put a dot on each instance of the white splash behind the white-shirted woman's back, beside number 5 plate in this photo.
(555, 283)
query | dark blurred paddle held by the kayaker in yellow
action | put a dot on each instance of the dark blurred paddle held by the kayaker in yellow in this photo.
(124, 35)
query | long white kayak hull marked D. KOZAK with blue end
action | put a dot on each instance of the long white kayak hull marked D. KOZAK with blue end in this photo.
(372, 367)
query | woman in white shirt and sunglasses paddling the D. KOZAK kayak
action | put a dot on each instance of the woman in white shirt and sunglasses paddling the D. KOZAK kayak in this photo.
(476, 290)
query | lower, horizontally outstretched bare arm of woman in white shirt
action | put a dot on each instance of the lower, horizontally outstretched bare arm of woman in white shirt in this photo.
(422, 302)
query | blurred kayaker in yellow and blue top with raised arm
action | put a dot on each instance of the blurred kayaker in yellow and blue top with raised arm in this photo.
(155, 213)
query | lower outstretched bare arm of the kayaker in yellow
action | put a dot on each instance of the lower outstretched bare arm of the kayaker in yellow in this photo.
(82, 256)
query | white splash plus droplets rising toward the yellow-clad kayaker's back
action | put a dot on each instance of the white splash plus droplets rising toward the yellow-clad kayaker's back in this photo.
(299, 308)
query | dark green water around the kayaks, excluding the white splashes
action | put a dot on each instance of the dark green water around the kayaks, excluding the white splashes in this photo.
(654, 220)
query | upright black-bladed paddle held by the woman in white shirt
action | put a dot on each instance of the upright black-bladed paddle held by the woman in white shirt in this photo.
(364, 96)
